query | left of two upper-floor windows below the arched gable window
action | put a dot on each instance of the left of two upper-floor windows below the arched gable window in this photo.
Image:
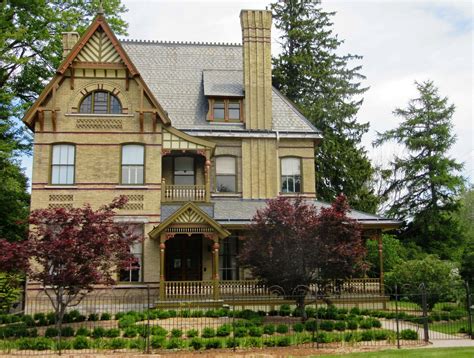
(62, 164)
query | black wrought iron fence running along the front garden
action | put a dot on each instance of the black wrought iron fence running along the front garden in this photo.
(126, 322)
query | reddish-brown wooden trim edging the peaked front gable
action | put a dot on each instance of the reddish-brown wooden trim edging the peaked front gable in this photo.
(98, 24)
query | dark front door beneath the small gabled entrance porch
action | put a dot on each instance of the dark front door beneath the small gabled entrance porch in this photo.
(183, 258)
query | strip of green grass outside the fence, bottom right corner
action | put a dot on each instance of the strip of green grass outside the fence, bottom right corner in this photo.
(411, 353)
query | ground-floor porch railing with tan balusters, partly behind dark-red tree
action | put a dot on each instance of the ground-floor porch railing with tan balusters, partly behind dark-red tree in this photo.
(211, 289)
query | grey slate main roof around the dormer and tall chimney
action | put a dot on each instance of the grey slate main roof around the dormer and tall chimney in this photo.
(180, 74)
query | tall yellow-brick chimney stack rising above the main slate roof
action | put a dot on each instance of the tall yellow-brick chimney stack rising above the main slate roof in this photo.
(257, 58)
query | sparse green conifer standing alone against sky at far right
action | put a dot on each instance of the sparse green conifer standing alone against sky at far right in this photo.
(425, 183)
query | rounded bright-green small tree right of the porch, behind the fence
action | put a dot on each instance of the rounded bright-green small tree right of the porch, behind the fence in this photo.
(440, 278)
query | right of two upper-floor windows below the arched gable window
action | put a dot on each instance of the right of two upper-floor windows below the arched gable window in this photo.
(132, 163)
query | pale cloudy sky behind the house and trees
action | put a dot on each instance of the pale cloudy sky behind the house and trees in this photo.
(400, 41)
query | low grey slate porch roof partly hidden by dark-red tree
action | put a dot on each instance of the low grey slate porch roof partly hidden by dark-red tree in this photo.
(235, 211)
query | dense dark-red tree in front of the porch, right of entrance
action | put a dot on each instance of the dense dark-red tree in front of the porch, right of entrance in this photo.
(290, 244)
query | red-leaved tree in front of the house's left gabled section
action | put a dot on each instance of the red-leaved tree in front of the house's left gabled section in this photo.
(70, 250)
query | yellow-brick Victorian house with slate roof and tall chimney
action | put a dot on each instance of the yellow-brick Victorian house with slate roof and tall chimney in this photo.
(193, 134)
